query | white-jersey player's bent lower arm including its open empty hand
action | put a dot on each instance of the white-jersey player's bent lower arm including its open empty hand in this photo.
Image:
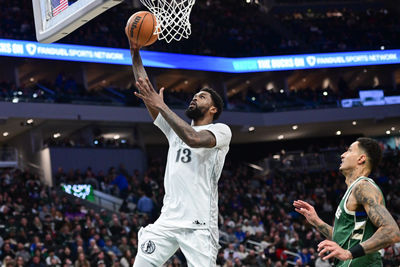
(188, 135)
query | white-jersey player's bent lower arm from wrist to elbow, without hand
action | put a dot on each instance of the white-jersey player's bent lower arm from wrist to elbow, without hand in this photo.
(188, 135)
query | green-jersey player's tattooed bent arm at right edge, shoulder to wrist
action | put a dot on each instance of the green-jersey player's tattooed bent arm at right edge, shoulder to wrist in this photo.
(388, 232)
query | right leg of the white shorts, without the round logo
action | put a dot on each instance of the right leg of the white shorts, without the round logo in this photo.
(198, 247)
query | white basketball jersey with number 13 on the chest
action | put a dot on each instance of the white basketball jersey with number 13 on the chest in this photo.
(191, 179)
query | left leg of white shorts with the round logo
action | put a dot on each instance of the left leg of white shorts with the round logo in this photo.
(155, 246)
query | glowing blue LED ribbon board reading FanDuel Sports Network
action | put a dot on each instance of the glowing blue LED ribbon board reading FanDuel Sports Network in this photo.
(104, 55)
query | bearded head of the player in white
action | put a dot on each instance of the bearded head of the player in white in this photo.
(206, 102)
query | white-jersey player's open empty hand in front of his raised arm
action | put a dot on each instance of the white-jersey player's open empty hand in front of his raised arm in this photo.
(147, 93)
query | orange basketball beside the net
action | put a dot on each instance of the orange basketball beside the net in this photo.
(140, 28)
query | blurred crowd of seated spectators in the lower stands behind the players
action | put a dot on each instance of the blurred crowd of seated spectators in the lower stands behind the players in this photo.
(40, 226)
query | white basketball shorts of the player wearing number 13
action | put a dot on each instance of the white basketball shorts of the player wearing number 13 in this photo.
(157, 244)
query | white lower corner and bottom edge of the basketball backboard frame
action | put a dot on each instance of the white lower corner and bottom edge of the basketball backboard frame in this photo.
(49, 30)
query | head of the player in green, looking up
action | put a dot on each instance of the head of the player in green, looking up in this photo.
(363, 152)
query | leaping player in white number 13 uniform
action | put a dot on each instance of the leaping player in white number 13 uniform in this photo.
(189, 216)
